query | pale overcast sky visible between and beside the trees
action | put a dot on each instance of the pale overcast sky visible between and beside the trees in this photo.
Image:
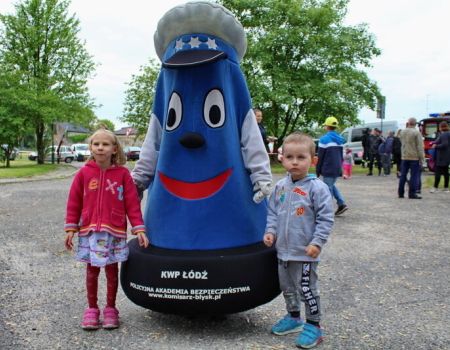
(413, 71)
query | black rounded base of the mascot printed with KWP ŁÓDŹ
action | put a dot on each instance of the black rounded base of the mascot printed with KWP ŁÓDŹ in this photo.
(209, 282)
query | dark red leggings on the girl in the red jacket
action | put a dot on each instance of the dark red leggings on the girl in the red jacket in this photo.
(112, 283)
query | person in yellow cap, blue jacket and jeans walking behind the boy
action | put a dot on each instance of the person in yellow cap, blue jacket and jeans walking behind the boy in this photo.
(330, 160)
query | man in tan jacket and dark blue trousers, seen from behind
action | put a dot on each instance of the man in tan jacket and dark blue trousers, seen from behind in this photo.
(412, 159)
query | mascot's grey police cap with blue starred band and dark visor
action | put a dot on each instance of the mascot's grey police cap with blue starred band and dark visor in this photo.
(199, 32)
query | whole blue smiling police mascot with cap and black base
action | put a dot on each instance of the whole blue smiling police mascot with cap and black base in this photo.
(207, 172)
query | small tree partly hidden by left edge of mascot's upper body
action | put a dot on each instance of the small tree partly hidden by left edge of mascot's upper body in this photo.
(139, 97)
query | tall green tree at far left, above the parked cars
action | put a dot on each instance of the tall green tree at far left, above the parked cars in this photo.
(39, 42)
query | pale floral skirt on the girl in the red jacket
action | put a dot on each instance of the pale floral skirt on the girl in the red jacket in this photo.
(101, 248)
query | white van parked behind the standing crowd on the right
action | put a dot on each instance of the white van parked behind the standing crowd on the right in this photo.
(353, 135)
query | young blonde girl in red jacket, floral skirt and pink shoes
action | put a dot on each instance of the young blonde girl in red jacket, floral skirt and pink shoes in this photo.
(101, 198)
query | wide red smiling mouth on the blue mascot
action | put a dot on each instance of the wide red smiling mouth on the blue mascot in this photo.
(195, 190)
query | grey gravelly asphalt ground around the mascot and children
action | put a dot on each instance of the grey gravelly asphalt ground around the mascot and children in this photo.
(384, 280)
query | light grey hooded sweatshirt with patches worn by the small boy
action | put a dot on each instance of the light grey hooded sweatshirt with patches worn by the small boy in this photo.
(300, 213)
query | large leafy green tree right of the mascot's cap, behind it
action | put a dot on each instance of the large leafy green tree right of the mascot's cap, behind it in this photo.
(303, 64)
